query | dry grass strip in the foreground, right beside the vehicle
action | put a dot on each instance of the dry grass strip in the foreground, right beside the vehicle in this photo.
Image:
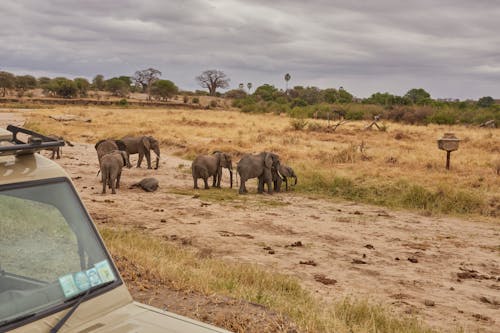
(169, 265)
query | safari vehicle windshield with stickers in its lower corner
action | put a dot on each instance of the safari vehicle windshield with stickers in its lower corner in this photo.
(49, 250)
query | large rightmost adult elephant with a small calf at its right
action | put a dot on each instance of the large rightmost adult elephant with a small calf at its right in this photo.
(257, 166)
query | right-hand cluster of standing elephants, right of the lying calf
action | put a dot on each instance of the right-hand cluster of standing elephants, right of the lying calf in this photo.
(265, 166)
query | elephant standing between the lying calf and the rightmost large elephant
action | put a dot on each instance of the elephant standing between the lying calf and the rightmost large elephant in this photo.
(205, 166)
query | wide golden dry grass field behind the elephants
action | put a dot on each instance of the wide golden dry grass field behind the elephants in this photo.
(379, 164)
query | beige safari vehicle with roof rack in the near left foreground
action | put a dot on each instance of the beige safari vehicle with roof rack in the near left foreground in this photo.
(55, 272)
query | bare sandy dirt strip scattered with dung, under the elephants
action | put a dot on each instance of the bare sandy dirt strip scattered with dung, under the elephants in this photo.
(444, 270)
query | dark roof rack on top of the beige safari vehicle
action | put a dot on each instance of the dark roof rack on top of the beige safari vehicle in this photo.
(36, 142)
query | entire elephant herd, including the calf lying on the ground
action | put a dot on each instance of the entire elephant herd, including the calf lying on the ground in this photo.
(113, 155)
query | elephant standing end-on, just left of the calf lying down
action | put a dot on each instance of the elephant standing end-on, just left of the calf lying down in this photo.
(111, 169)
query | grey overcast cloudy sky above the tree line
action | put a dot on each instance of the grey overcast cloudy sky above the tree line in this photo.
(451, 48)
